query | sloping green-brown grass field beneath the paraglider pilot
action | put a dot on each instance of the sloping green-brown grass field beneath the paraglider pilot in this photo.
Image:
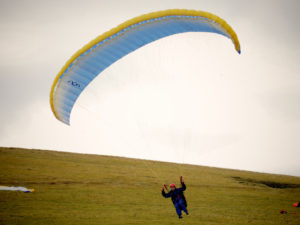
(90, 189)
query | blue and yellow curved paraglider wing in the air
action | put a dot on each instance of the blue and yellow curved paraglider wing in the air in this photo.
(109, 47)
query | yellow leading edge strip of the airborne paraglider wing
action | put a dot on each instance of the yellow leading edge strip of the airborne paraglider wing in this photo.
(153, 15)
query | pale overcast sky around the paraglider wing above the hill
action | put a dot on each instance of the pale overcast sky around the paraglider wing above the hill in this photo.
(189, 98)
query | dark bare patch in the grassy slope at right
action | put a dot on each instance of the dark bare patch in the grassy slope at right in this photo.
(271, 184)
